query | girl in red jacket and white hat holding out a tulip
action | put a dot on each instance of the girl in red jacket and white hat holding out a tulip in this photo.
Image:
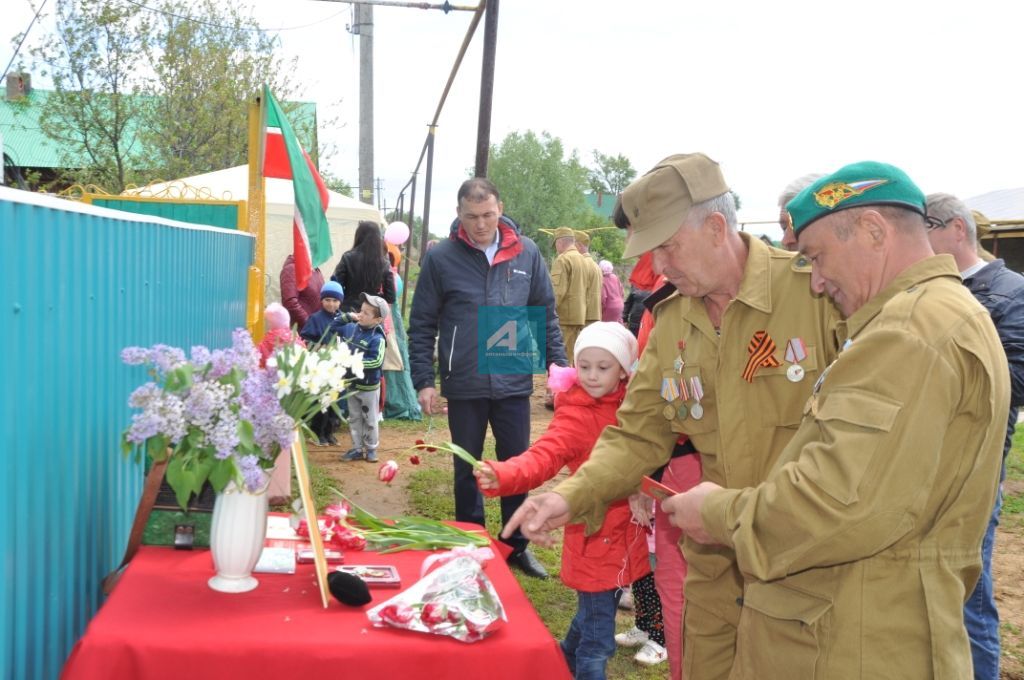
(598, 567)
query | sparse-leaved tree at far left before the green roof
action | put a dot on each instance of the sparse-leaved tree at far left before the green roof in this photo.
(97, 60)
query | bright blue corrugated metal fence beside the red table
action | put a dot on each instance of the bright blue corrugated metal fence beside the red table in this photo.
(77, 284)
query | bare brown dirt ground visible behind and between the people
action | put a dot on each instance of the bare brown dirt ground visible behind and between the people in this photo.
(360, 482)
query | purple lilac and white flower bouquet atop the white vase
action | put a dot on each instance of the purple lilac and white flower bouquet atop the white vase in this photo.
(221, 417)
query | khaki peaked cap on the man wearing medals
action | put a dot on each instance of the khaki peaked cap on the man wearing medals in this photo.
(657, 204)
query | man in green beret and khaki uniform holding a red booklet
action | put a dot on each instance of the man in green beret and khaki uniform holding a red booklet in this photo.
(863, 544)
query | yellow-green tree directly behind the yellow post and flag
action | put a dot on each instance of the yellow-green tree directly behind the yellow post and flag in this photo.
(209, 62)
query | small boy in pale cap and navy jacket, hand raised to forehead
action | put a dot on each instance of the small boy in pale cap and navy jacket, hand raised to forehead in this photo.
(367, 336)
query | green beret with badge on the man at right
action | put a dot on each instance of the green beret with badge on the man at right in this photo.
(856, 186)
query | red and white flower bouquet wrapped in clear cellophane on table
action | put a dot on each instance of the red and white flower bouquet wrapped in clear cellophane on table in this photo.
(456, 600)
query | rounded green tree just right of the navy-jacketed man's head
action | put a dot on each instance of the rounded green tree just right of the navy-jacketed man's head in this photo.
(540, 187)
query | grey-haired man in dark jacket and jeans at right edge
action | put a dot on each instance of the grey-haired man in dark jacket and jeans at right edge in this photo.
(1002, 292)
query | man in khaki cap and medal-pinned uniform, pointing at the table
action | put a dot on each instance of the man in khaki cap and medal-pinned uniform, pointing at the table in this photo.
(731, 362)
